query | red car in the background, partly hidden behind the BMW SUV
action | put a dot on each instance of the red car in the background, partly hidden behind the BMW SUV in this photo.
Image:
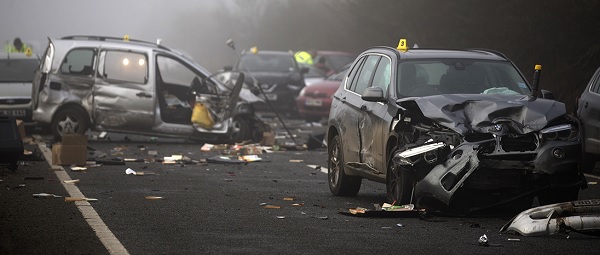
(314, 100)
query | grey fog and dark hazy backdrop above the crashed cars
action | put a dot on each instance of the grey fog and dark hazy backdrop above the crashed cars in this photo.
(563, 36)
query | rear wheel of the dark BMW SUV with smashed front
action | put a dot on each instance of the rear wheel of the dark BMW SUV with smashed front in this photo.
(340, 184)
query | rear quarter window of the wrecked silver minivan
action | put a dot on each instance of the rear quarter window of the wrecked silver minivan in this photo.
(78, 62)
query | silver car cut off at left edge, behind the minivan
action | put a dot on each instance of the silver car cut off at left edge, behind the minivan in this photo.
(16, 76)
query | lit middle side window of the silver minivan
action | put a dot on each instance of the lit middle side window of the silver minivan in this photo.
(125, 66)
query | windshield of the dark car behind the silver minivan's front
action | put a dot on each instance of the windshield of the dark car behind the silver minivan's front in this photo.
(268, 62)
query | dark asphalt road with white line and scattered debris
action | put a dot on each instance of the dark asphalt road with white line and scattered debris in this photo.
(279, 205)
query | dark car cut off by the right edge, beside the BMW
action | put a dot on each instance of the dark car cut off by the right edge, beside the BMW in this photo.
(588, 112)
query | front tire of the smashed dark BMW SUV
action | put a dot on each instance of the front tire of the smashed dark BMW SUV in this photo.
(398, 184)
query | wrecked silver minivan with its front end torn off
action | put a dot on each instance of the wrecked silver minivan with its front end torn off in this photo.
(132, 86)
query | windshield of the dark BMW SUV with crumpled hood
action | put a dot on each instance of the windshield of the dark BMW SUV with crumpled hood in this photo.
(459, 76)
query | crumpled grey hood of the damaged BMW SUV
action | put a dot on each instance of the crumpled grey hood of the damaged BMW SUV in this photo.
(463, 113)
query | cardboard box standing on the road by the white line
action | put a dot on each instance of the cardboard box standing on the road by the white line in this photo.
(71, 151)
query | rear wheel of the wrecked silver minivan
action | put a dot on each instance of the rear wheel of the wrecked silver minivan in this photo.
(69, 121)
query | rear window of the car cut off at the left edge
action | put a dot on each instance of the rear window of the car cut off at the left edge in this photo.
(17, 70)
